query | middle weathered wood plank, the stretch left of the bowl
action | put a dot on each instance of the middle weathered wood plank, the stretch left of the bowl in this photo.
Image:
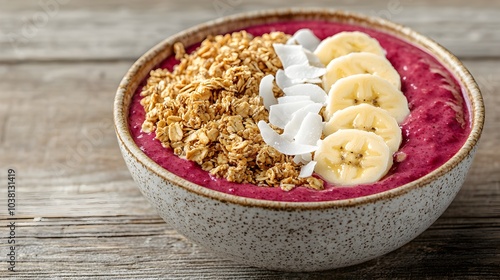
(58, 135)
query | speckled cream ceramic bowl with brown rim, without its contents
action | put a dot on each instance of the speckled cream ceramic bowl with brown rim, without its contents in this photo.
(295, 236)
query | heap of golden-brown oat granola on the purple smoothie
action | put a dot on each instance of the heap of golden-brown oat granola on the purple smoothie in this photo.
(208, 107)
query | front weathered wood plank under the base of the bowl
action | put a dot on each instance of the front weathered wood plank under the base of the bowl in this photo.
(142, 245)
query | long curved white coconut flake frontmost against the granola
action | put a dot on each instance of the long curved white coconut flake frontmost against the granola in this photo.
(273, 139)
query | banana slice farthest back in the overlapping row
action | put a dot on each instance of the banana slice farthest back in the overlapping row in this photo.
(347, 42)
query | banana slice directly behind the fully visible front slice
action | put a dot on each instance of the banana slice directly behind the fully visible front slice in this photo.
(368, 118)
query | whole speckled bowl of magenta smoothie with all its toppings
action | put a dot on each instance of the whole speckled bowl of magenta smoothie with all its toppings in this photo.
(205, 119)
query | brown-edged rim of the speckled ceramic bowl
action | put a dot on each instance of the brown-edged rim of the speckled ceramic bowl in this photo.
(140, 69)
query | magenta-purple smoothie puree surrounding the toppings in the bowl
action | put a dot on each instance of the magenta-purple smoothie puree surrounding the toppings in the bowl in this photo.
(432, 133)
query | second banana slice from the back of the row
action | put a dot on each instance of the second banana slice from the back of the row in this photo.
(360, 63)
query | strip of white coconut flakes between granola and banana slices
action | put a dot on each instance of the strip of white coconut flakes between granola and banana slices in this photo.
(297, 113)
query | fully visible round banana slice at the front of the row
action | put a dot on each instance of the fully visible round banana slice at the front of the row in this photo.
(352, 157)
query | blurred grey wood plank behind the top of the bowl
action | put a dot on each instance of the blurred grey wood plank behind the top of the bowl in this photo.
(114, 30)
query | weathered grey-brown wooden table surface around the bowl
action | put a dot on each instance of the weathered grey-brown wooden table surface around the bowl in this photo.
(78, 212)
